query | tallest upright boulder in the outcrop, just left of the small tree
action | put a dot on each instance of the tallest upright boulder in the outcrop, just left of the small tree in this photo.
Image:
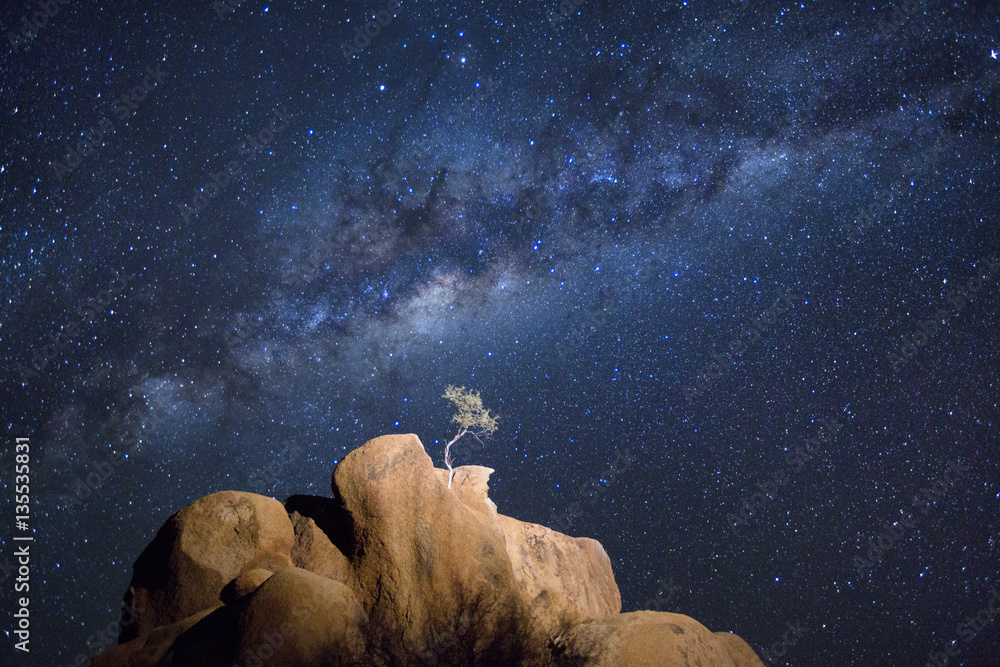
(431, 571)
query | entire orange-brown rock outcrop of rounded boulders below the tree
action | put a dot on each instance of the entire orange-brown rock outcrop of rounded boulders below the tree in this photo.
(395, 570)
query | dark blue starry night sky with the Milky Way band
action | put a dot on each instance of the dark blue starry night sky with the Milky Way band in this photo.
(726, 270)
